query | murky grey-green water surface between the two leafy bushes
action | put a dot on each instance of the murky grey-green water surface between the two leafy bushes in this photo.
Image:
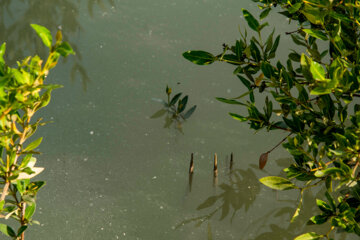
(112, 170)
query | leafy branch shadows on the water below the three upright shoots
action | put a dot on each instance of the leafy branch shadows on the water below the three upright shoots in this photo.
(238, 194)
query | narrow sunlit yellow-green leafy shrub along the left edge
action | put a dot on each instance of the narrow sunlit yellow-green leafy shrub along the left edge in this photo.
(23, 93)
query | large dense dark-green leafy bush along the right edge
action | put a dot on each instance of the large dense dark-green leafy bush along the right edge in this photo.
(312, 96)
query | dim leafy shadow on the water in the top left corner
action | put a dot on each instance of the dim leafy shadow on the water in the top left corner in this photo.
(17, 15)
